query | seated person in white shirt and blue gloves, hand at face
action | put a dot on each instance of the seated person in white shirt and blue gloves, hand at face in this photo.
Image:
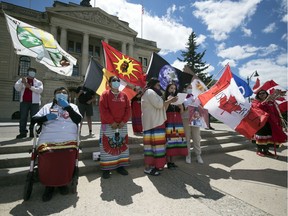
(59, 125)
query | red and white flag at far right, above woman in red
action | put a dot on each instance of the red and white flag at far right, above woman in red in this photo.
(270, 86)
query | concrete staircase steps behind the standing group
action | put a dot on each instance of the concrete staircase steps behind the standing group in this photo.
(15, 157)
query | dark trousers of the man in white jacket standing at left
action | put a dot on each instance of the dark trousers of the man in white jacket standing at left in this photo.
(25, 108)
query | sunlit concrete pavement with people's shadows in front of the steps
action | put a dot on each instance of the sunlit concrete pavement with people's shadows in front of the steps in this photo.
(235, 183)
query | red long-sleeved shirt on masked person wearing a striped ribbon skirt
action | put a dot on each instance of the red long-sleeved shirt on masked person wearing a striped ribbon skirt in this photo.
(114, 108)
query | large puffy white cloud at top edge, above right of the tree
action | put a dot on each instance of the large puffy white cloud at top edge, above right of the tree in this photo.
(223, 17)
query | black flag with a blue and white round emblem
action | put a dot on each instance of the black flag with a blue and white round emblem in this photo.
(165, 73)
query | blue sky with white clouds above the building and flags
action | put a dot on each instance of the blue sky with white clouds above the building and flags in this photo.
(249, 34)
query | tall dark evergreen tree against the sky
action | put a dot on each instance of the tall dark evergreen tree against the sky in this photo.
(194, 59)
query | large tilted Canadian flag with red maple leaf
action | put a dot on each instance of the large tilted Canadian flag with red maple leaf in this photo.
(225, 102)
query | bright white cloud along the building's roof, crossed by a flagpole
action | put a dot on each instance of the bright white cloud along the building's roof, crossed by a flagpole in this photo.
(167, 32)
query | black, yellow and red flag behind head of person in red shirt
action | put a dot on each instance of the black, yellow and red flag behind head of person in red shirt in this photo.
(97, 77)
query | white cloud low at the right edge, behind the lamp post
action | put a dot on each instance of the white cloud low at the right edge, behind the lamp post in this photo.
(267, 69)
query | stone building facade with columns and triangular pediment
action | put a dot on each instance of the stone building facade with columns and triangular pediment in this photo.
(79, 30)
